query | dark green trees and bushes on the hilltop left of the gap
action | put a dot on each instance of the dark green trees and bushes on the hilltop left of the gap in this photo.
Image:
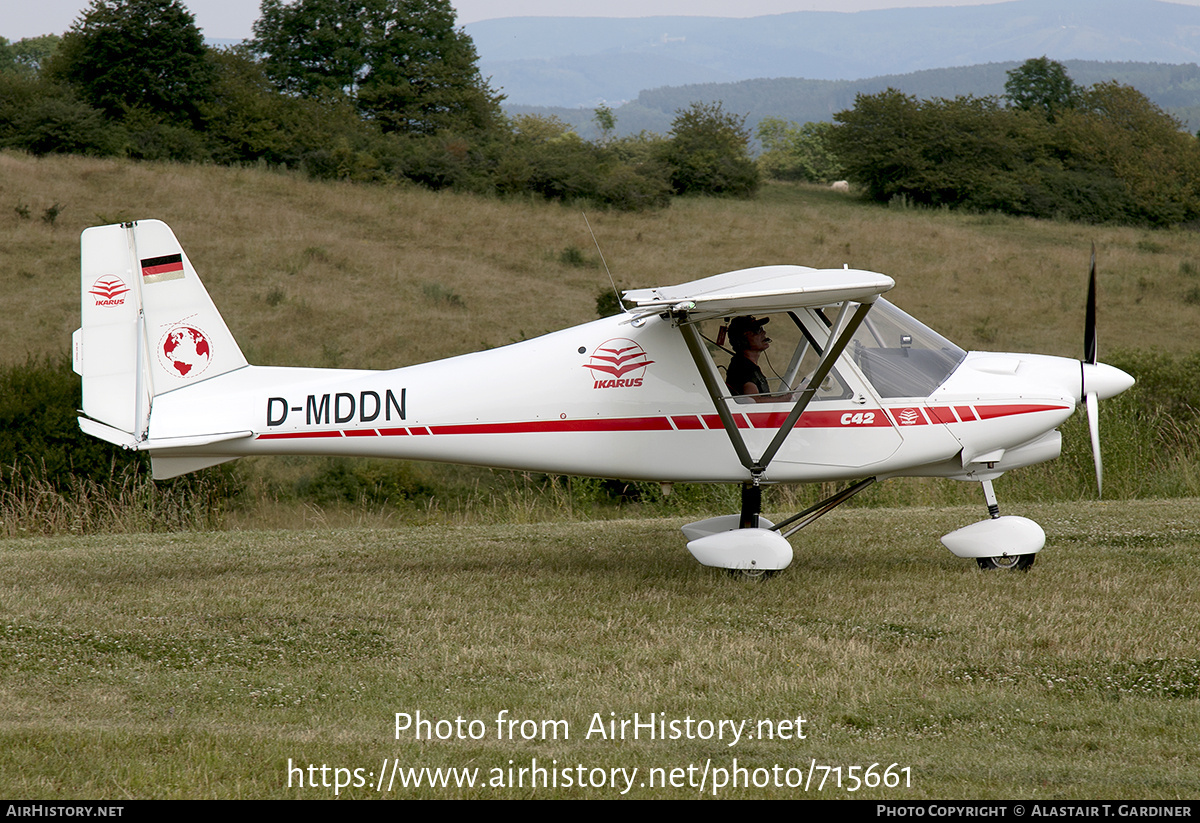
(365, 91)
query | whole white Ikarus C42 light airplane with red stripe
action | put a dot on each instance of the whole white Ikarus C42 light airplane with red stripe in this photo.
(862, 393)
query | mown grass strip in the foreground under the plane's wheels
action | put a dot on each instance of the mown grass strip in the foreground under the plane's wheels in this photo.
(197, 665)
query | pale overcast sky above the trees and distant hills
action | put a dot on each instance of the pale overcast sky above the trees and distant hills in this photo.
(232, 20)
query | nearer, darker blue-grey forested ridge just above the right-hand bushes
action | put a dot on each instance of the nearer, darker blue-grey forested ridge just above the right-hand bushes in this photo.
(1177, 88)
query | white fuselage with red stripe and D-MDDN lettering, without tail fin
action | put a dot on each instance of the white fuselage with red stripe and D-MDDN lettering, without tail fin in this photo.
(616, 399)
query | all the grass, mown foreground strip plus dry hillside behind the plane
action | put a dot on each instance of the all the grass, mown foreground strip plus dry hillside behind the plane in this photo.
(195, 664)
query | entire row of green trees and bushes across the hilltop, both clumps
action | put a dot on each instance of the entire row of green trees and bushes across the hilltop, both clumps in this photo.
(385, 91)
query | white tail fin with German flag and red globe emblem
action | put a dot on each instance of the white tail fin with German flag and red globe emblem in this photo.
(149, 327)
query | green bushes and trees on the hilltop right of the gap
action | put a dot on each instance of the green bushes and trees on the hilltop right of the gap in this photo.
(1048, 148)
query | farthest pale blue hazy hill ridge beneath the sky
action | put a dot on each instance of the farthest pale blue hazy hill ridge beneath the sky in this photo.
(572, 63)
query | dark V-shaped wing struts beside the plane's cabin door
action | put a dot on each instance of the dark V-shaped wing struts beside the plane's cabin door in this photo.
(841, 334)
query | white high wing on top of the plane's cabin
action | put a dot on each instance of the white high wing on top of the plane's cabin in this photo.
(763, 290)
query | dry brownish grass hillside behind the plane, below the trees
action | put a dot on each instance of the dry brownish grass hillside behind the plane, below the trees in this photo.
(327, 274)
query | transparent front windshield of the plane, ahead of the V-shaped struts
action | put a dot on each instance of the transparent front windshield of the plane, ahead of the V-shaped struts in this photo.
(901, 356)
